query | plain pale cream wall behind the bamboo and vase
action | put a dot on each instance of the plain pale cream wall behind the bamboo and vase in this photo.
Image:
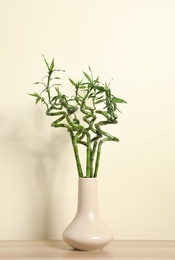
(132, 41)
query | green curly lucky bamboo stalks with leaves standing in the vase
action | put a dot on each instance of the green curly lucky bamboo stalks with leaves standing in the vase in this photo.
(83, 115)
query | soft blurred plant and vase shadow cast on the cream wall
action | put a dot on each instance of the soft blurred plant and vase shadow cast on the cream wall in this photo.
(42, 148)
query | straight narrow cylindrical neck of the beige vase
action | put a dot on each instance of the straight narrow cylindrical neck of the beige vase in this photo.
(87, 194)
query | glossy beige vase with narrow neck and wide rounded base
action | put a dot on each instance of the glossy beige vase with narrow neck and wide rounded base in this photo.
(87, 231)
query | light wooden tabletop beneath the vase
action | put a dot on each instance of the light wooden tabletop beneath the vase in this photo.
(118, 250)
